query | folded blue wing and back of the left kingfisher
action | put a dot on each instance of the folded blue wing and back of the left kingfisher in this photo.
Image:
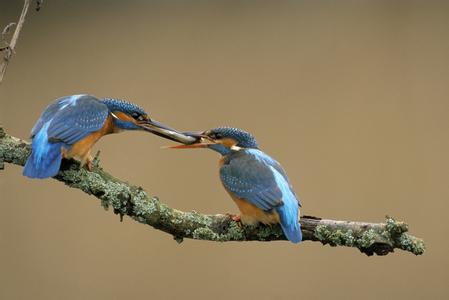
(76, 118)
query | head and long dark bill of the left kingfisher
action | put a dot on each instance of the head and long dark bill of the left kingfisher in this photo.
(129, 116)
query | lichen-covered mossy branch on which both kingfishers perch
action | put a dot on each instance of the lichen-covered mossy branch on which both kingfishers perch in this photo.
(133, 201)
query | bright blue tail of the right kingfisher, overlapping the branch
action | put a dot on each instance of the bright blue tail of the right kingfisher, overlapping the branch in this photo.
(288, 214)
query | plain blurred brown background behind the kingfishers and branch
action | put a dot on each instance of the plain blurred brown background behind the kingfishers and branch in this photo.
(352, 98)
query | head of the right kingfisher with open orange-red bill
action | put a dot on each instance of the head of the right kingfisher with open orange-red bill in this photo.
(224, 140)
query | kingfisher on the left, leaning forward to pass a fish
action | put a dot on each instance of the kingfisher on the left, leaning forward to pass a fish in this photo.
(71, 125)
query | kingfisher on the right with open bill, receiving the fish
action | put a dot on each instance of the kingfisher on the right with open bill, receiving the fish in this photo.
(256, 182)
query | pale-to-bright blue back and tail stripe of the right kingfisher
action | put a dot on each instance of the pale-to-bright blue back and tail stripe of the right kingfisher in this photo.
(288, 213)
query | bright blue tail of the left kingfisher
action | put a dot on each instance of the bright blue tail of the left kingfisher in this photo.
(45, 158)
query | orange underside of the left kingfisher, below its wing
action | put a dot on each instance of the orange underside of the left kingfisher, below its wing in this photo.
(81, 149)
